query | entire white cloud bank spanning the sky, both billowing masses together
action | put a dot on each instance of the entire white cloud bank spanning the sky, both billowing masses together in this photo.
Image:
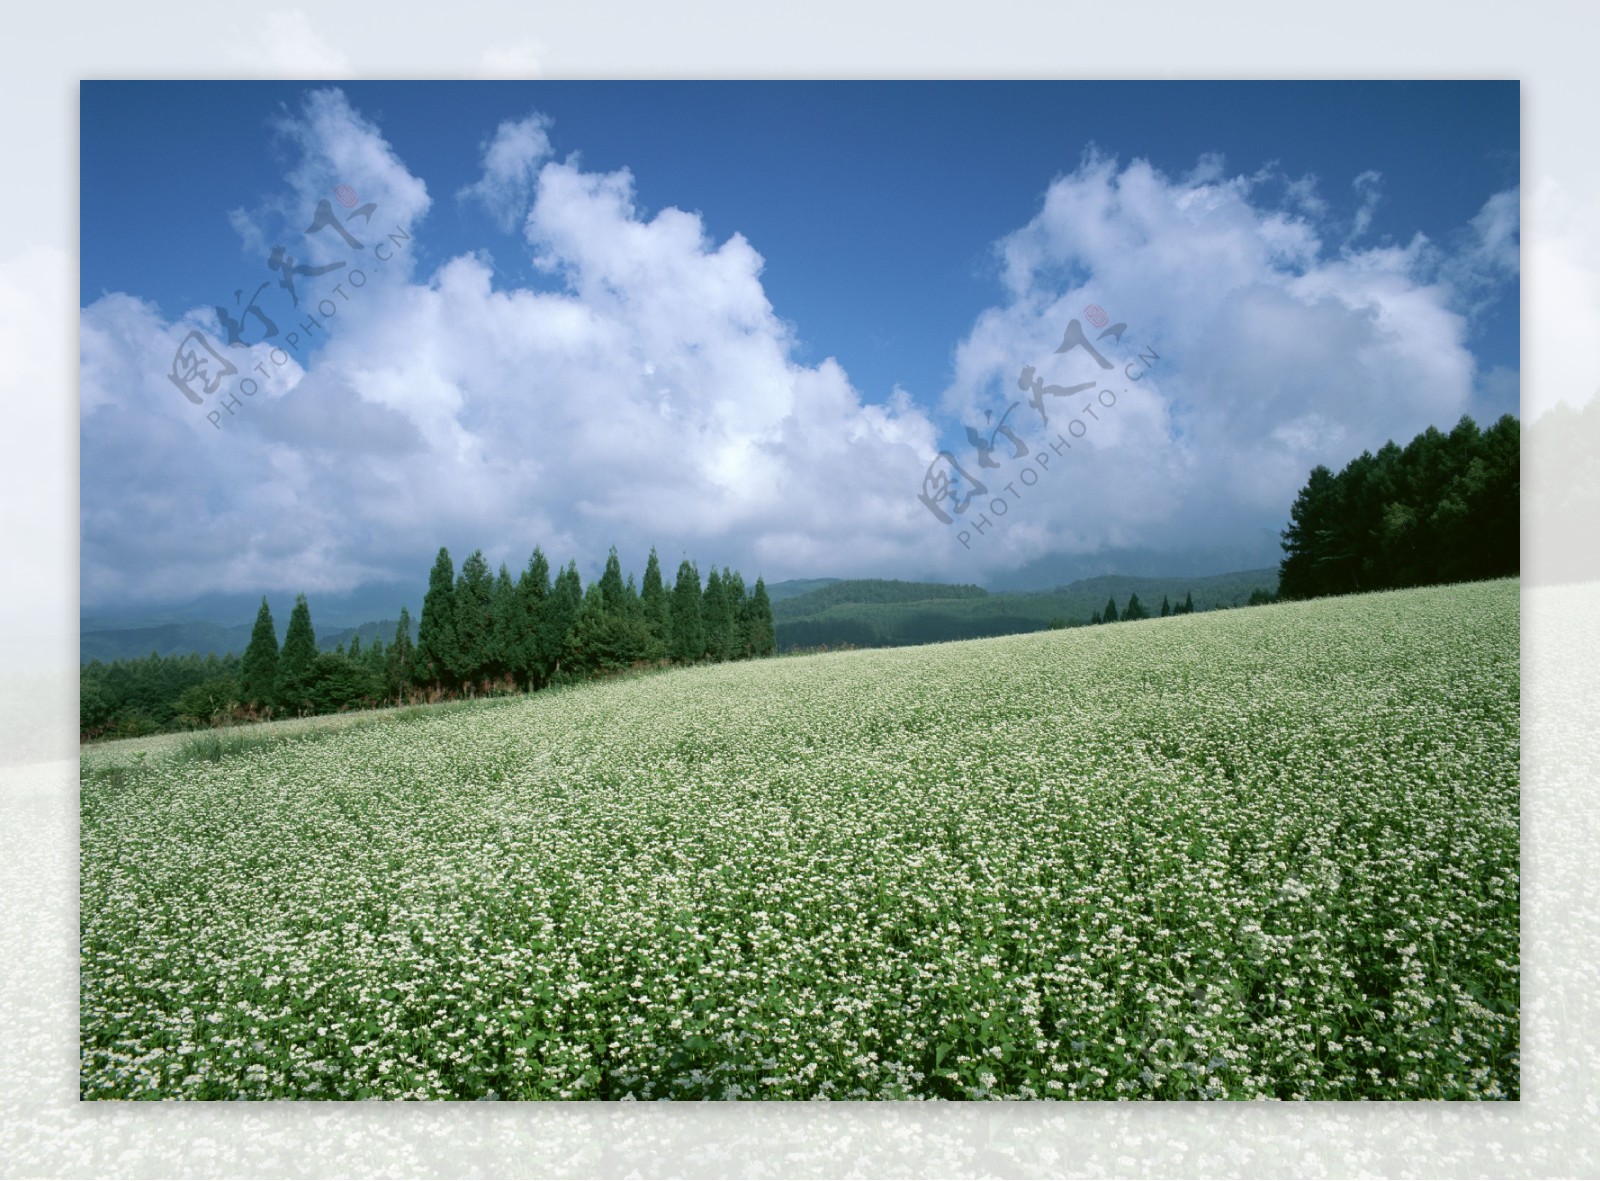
(654, 398)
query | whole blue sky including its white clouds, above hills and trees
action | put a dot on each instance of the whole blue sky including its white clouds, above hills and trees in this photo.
(561, 359)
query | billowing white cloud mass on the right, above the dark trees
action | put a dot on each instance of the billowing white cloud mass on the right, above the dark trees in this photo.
(1278, 351)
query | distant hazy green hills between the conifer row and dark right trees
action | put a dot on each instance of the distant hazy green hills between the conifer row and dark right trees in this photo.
(884, 615)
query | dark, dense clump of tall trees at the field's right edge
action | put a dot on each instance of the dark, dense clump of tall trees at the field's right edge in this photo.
(1444, 510)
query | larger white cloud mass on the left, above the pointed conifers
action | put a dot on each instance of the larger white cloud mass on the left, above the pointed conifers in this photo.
(654, 401)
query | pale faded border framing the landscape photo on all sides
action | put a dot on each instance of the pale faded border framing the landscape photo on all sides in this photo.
(49, 49)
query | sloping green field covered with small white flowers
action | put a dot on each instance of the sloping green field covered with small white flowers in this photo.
(1260, 854)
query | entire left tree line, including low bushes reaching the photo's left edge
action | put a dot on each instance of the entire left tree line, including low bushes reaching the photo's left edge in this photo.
(479, 635)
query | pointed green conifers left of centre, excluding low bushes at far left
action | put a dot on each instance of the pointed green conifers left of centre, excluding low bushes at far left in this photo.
(486, 633)
